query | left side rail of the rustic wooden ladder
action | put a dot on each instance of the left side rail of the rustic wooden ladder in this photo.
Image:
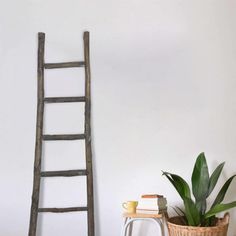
(39, 132)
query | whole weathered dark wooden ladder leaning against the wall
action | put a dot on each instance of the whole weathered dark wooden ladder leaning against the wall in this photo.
(40, 137)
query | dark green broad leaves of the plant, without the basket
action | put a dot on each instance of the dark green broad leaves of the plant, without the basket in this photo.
(196, 212)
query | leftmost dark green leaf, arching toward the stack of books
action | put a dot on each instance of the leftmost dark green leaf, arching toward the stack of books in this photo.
(180, 185)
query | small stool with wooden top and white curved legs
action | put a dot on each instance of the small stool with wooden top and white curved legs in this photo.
(156, 217)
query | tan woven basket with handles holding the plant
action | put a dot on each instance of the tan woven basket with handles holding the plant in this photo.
(176, 229)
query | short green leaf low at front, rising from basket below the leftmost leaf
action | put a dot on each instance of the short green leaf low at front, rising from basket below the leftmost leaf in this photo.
(191, 212)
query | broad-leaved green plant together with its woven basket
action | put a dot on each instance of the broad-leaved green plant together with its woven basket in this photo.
(198, 218)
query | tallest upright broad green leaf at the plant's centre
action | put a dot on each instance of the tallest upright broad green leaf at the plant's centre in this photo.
(200, 178)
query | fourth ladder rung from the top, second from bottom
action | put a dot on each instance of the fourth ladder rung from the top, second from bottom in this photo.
(65, 173)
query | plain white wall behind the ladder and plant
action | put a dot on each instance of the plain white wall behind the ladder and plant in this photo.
(163, 90)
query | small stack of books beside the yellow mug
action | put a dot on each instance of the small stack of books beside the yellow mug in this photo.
(152, 202)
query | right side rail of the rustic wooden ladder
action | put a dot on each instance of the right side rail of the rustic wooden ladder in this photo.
(88, 148)
